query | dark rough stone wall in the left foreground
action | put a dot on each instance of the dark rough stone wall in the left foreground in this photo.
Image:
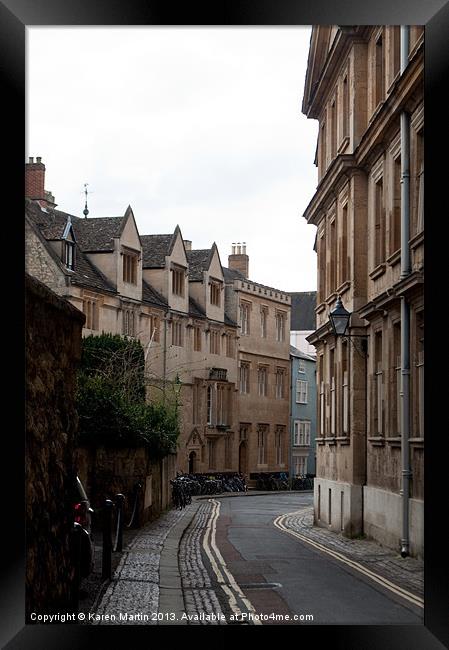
(53, 349)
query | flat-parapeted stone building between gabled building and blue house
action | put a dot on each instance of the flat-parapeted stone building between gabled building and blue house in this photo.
(263, 401)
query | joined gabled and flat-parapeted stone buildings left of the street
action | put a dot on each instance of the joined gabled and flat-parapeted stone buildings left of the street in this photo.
(186, 309)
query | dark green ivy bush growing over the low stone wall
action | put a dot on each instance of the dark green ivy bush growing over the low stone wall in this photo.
(110, 399)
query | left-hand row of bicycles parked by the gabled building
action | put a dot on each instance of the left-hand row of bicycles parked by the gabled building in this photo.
(184, 486)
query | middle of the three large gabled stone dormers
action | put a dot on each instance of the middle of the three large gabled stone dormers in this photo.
(165, 267)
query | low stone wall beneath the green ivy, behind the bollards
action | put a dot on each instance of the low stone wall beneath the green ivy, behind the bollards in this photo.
(106, 472)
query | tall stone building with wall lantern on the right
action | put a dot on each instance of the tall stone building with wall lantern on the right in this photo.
(364, 85)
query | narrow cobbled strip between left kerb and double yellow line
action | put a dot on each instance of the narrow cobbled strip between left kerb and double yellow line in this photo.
(199, 594)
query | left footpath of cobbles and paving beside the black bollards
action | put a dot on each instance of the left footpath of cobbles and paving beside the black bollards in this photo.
(134, 589)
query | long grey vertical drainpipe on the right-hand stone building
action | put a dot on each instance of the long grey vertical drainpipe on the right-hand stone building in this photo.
(405, 307)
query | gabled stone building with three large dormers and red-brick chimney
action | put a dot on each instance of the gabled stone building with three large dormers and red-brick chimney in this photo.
(154, 288)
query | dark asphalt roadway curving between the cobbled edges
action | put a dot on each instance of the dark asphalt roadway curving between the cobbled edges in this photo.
(261, 573)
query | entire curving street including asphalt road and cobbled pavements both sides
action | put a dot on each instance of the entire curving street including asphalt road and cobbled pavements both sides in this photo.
(256, 559)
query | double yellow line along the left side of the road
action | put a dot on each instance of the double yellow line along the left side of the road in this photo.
(224, 577)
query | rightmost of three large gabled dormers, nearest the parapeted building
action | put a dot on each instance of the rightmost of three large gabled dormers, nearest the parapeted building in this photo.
(206, 281)
